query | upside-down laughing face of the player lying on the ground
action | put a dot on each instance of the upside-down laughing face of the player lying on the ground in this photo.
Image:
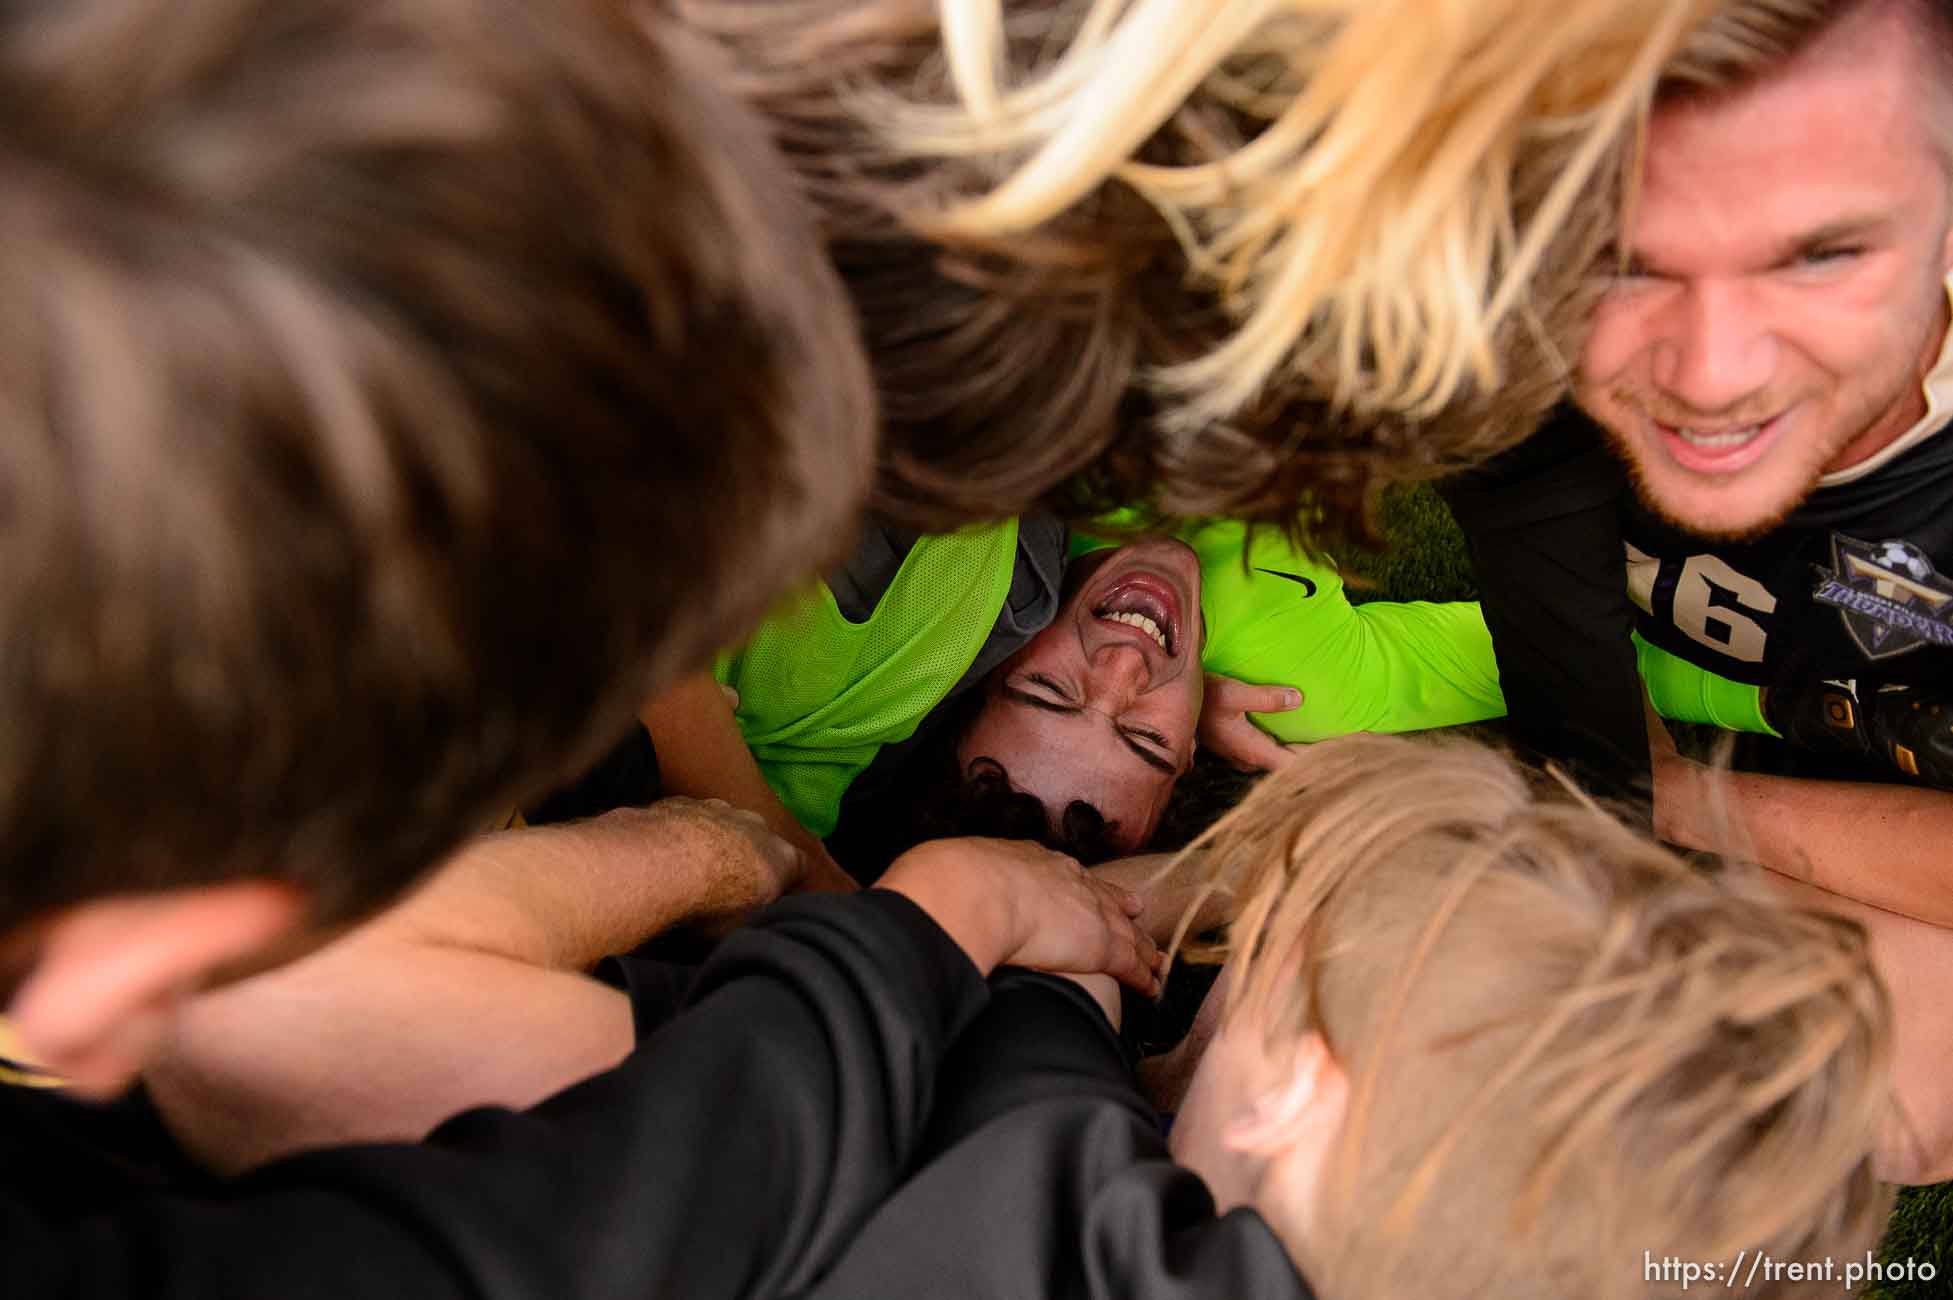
(1102, 706)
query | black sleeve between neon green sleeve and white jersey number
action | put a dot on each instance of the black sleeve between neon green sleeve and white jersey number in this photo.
(1544, 524)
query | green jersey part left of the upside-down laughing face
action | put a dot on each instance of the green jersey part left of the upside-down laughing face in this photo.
(821, 696)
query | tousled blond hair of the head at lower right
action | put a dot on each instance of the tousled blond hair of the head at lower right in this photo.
(1565, 1045)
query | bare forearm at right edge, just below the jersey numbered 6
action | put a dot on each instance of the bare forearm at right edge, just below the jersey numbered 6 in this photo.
(1880, 844)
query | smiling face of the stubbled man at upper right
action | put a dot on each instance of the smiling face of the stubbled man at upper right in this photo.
(1784, 292)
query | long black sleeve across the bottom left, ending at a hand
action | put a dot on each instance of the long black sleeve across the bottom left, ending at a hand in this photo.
(733, 1155)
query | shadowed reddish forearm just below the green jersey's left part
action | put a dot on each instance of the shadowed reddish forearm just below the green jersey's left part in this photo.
(702, 754)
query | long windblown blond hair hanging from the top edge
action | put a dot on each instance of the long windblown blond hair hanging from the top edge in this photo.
(1354, 208)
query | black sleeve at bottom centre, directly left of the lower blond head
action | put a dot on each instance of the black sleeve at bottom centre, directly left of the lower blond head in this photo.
(1046, 1174)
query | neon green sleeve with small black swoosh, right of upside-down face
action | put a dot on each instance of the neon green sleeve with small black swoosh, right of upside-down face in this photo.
(1284, 620)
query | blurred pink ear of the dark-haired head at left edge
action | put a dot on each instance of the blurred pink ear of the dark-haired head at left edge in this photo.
(108, 973)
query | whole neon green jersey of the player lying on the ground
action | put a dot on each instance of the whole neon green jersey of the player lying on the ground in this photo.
(821, 696)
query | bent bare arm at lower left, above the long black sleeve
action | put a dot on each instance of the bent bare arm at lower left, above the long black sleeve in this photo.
(470, 993)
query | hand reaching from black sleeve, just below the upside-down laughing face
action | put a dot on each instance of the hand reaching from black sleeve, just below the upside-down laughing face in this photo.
(1015, 903)
